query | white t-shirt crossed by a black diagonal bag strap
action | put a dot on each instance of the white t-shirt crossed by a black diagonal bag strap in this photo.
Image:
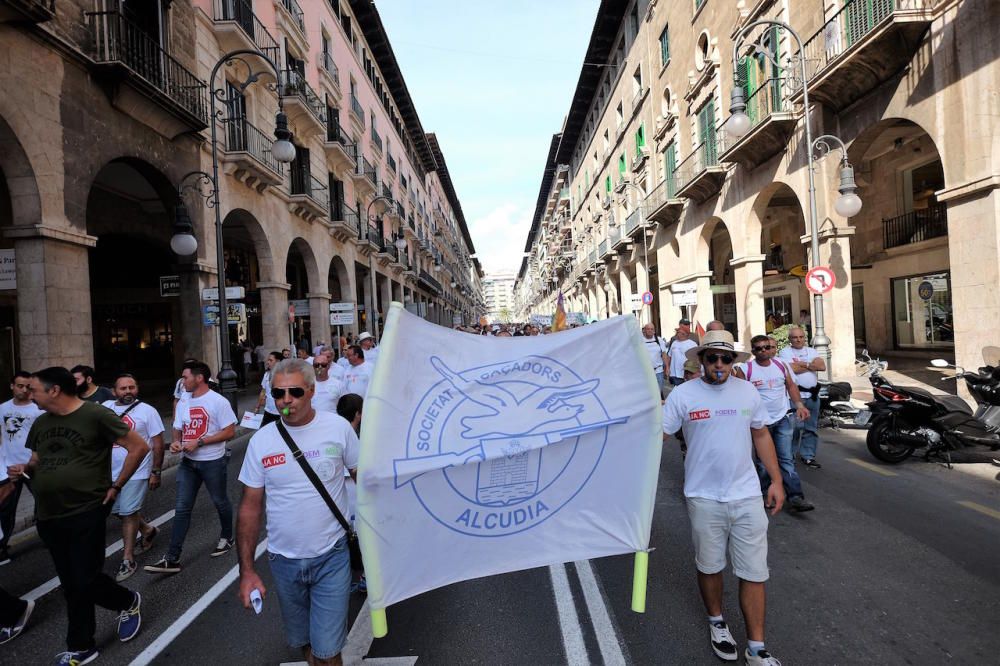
(299, 523)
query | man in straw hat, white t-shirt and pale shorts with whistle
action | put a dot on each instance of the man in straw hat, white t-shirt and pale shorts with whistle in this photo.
(723, 422)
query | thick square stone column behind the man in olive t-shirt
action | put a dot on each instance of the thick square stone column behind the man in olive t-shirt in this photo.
(54, 318)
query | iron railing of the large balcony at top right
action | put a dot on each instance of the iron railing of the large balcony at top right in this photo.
(849, 25)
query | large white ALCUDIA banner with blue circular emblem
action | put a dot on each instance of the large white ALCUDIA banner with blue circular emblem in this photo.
(501, 454)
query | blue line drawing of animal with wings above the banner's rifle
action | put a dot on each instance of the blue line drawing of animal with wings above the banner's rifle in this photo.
(534, 414)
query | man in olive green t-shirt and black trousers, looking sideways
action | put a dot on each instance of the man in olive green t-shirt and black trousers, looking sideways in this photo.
(70, 470)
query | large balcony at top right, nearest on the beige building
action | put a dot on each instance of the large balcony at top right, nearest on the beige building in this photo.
(863, 45)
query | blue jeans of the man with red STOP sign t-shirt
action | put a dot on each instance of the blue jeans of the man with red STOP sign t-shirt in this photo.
(190, 475)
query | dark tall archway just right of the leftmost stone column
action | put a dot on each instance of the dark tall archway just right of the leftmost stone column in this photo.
(135, 322)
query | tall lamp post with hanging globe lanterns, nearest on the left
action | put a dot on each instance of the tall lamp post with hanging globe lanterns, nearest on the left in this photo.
(207, 186)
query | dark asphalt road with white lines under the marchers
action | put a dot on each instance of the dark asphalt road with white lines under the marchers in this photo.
(896, 566)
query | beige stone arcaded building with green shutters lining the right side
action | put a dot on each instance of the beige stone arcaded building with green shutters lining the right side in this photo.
(645, 189)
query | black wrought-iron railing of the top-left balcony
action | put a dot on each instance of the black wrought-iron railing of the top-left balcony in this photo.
(118, 40)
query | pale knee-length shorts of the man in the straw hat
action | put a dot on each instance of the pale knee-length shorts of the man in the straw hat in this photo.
(739, 526)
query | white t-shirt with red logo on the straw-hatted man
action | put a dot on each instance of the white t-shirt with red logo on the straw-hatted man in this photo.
(716, 421)
